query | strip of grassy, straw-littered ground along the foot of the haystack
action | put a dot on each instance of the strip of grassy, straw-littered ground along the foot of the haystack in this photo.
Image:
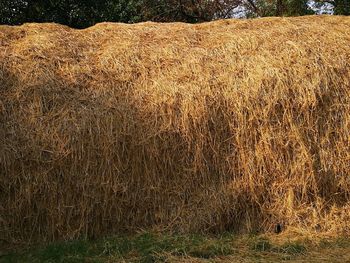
(154, 247)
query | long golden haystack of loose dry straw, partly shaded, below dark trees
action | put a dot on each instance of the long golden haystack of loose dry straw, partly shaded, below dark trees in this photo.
(230, 125)
